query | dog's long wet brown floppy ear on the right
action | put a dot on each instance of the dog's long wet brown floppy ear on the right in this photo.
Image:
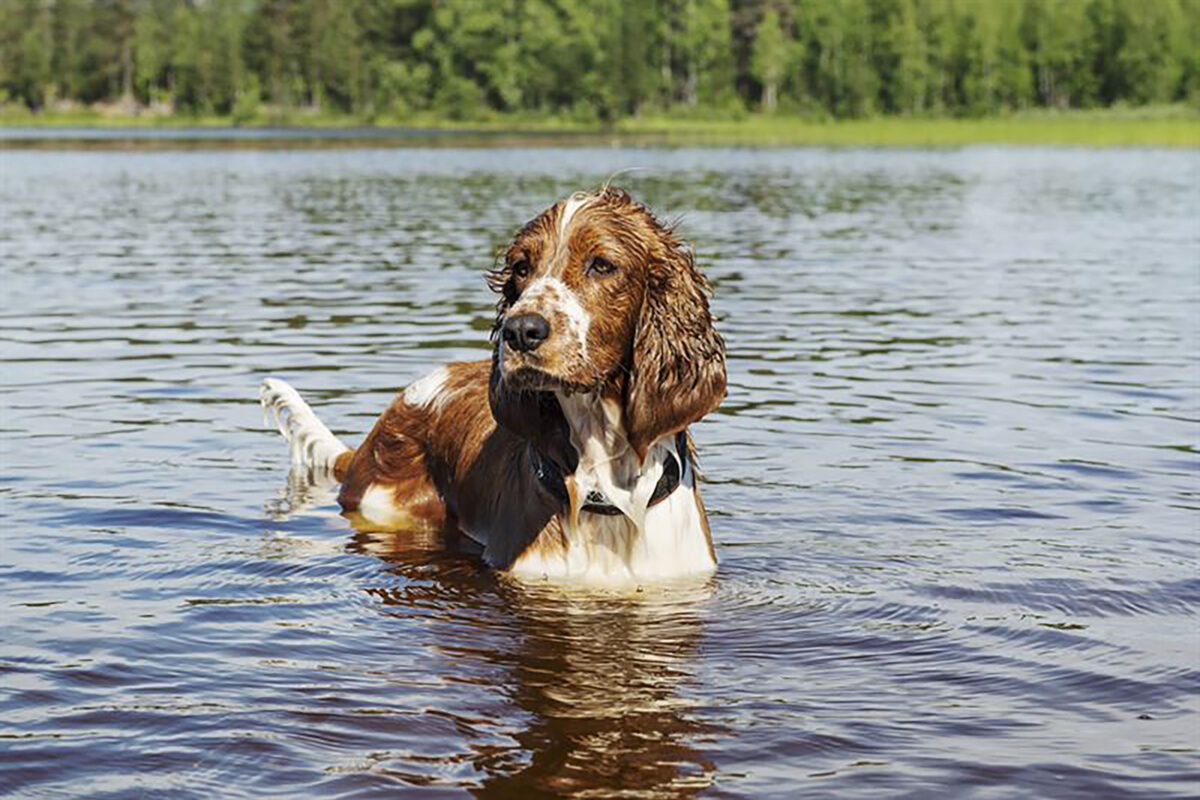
(677, 372)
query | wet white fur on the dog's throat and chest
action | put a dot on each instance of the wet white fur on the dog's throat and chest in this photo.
(645, 544)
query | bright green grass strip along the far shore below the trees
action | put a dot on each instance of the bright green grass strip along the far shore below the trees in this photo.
(1174, 127)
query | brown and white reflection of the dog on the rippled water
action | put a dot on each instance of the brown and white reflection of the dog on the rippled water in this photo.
(595, 679)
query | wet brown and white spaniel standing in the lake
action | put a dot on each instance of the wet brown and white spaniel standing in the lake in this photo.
(567, 455)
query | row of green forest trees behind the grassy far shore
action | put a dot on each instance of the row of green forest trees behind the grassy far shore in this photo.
(599, 59)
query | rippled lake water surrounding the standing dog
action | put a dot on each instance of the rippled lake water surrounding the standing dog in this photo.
(955, 489)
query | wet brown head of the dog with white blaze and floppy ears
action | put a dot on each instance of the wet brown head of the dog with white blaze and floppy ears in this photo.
(598, 296)
